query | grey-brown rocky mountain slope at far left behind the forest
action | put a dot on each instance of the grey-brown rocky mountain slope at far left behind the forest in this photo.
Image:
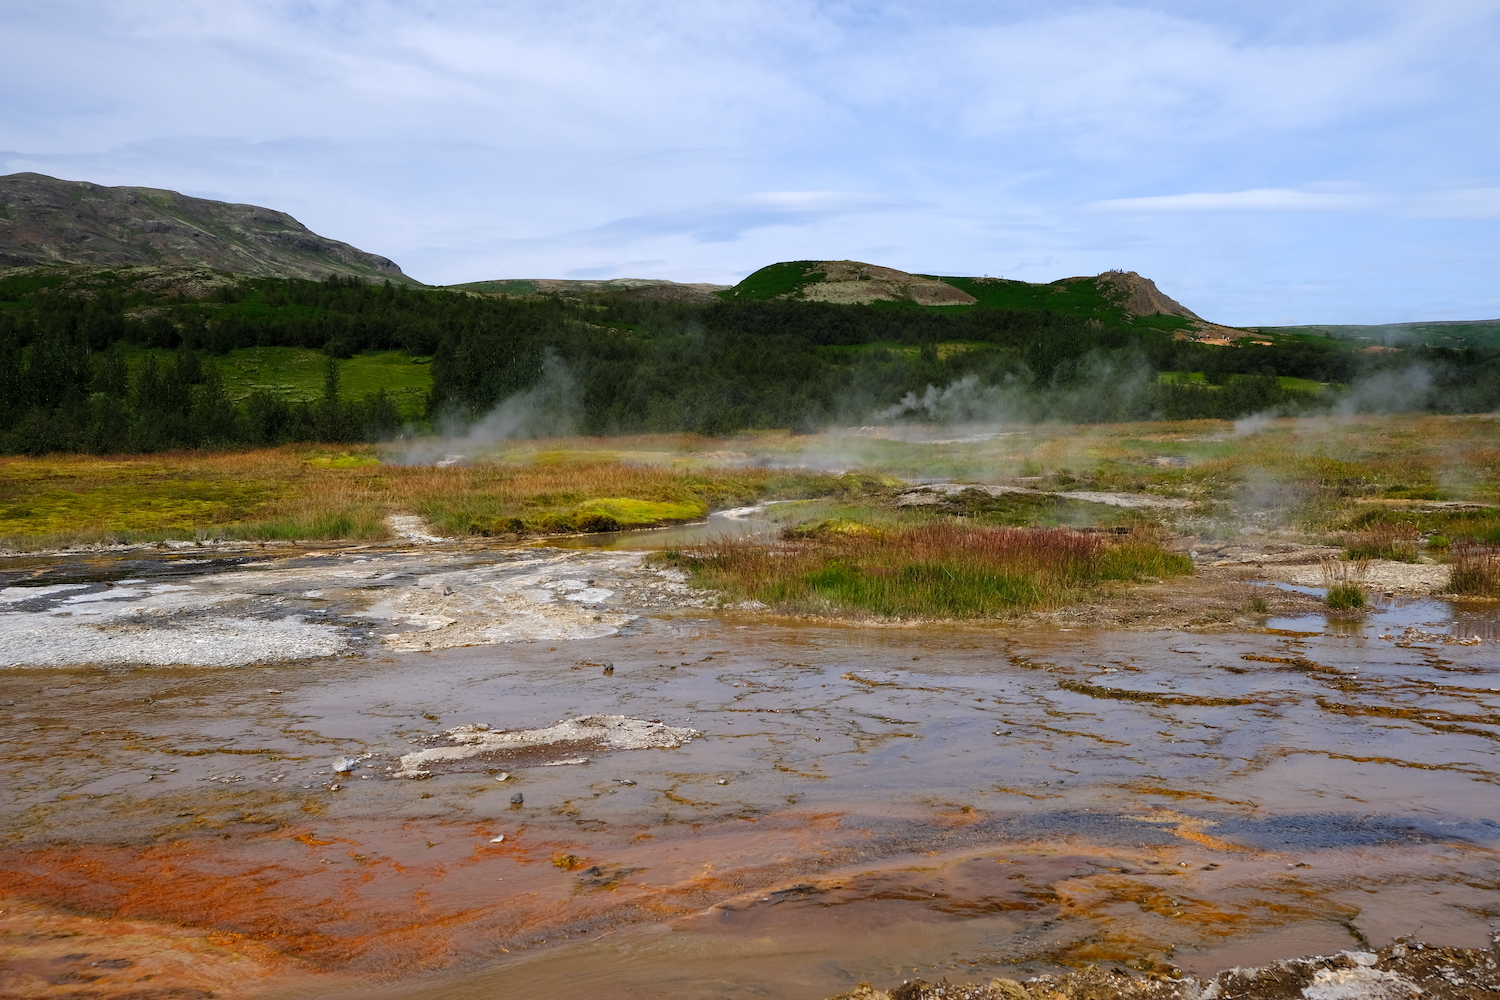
(50, 221)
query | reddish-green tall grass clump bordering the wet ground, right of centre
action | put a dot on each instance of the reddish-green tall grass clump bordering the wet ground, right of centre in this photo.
(935, 570)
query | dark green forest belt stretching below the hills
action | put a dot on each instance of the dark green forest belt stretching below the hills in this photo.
(85, 364)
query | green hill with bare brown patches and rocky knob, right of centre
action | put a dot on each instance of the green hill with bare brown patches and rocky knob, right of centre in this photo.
(1118, 296)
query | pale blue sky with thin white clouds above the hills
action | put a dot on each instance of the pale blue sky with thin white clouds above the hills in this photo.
(1267, 163)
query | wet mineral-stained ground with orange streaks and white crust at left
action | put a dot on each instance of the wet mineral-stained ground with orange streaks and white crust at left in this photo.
(857, 804)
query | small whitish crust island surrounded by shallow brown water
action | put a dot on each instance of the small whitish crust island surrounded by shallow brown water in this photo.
(596, 732)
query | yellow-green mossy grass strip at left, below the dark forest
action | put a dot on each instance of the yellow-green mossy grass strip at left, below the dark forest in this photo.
(290, 494)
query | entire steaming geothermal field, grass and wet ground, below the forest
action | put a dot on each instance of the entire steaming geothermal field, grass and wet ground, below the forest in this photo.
(1105, 711)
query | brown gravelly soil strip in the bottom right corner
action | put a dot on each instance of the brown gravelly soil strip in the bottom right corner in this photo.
(1403, 971)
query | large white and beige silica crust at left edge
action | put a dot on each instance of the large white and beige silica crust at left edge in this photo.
(311, 605)
